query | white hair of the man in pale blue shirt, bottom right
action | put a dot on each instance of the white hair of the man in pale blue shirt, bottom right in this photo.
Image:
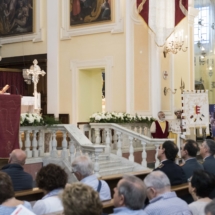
(158, 180)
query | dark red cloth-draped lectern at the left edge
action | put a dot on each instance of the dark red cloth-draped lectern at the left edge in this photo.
(10, 107)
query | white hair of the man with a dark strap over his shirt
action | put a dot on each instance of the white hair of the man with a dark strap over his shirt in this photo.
(83, 165)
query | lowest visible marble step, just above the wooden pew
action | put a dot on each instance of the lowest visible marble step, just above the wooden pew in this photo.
(116, 170)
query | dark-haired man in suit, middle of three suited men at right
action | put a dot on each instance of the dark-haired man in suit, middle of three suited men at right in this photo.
(188, 153)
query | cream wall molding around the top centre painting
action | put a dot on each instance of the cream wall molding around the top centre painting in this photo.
(116, 27)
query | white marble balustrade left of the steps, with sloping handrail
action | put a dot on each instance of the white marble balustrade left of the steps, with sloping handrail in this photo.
(34, 140)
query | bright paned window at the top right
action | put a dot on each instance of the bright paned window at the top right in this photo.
(201, 25)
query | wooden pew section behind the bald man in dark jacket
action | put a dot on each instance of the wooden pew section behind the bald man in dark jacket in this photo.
(30, 195)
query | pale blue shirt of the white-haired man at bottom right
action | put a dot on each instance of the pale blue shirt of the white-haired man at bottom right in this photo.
(167, 204)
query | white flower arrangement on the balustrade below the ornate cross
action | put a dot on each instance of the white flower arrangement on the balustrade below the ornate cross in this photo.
(31, 119)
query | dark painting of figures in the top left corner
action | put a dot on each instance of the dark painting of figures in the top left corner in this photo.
(16, 17)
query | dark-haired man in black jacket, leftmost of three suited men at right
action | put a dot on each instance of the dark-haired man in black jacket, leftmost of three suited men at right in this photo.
(167, 154)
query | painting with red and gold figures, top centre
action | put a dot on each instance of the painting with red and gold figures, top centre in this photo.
(89, 11)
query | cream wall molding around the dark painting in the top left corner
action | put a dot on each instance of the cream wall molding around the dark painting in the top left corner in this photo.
(37, 36)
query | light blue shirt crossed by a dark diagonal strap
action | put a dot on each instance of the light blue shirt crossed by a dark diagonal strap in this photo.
(93, 182)
